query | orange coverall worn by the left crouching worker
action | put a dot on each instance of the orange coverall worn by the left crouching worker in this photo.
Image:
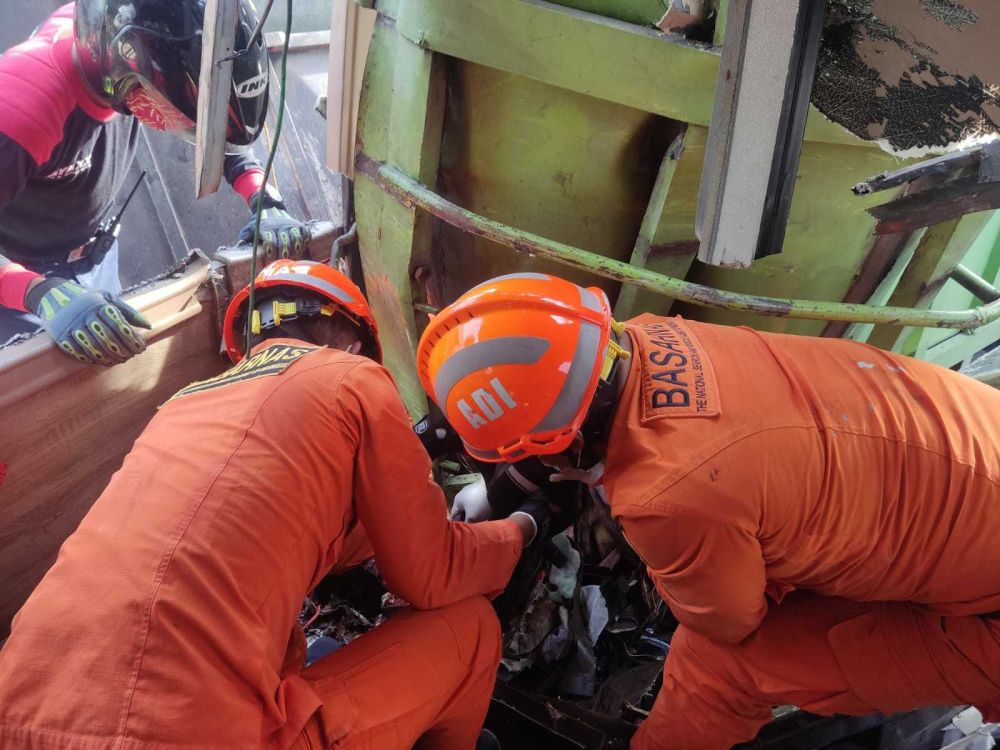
(169, 619)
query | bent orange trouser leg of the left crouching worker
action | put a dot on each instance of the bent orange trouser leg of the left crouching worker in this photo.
(422, 679)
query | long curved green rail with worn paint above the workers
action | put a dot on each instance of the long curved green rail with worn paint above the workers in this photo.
(412, 193)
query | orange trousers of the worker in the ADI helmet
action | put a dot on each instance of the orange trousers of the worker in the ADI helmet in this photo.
(827, 656)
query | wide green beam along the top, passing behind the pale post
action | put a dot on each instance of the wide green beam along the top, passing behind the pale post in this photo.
(604, 58)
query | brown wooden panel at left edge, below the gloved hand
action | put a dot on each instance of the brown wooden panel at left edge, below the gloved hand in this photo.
(74, 424)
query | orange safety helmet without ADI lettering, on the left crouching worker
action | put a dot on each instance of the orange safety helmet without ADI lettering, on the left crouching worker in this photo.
(316, 278)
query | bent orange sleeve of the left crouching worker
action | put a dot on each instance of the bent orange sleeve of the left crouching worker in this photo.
(425, 558)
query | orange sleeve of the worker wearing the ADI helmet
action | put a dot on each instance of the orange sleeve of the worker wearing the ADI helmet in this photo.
(709, 571)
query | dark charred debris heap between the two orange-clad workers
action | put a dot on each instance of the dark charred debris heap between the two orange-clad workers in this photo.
(585, 633)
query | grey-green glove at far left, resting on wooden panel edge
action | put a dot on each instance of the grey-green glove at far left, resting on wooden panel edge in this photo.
(93, 327)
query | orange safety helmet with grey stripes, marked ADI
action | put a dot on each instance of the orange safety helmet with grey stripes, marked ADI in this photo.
(514, 363)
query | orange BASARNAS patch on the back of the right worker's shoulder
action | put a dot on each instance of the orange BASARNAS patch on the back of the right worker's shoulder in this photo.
(677, 377)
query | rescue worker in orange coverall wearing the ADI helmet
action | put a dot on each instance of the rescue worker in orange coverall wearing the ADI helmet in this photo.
(821, 516)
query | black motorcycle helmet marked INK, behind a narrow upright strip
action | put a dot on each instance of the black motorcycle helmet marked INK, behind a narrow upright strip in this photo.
(144, 58)
